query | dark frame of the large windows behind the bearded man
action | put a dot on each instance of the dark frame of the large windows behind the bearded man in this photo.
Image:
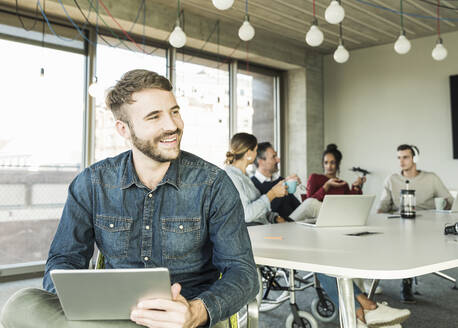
(16, 271)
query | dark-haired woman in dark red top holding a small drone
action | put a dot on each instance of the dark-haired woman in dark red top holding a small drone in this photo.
(320, 185)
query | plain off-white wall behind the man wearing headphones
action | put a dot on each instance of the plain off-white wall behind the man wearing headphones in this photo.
(379, 99)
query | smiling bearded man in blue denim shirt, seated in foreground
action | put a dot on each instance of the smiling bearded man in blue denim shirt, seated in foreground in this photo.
(175, 209)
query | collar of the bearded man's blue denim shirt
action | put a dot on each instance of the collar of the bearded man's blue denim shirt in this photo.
(130, 177)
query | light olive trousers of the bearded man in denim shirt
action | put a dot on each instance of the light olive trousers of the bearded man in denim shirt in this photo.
(36, 308)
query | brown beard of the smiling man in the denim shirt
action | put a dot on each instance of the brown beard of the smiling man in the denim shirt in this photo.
(150, 148)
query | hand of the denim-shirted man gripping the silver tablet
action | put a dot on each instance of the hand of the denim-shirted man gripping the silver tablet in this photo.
(175, 313)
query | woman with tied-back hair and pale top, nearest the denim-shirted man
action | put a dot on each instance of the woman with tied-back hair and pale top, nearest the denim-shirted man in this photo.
(257, 207)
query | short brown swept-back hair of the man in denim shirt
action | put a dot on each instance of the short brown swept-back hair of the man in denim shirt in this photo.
(131, 82)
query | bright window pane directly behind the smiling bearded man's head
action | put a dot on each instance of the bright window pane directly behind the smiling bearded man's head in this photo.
(112, 63)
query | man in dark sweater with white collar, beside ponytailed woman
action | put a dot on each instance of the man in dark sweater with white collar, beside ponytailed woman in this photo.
(267, 176)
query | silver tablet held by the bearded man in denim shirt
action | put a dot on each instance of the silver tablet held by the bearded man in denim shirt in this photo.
(108, 294)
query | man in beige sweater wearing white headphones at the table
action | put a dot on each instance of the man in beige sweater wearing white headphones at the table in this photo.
(427, 186)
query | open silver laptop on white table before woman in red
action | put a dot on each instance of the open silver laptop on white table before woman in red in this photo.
(343, 211)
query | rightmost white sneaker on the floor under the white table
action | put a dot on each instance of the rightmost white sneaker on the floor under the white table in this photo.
(384, 316)
